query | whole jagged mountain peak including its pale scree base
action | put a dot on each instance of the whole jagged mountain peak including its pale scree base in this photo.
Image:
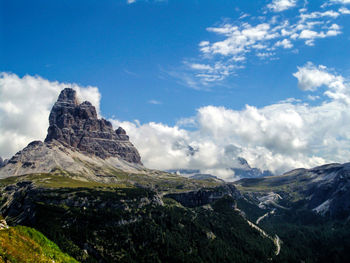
(77, 142)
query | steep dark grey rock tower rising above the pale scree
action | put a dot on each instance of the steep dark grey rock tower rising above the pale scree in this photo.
(77, 126)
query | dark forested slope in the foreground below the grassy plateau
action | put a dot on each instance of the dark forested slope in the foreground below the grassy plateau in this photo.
(95, 224)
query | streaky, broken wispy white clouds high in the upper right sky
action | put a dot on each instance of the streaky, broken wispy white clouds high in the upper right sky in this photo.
(241, 41)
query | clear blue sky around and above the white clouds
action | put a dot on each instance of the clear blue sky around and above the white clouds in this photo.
(135, 53)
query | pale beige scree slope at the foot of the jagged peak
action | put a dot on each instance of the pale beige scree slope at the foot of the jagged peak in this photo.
(40, 157)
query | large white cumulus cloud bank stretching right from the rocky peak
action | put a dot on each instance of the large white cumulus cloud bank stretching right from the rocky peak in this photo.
(278, 137)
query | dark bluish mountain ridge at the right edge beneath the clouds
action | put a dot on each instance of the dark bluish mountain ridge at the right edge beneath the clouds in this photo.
(324, 189)
